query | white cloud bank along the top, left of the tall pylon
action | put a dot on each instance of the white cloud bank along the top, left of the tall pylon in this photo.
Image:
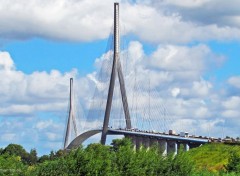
(68, 20)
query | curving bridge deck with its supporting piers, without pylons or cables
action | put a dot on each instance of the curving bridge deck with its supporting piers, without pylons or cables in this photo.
(167, 143)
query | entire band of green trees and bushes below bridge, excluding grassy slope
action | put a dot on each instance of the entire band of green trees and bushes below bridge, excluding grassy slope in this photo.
(119, 159)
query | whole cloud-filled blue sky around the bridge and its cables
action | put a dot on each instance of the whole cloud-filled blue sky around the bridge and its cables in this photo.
(190, 53)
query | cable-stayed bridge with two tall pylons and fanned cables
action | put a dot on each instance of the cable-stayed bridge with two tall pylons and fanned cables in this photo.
(122, 106)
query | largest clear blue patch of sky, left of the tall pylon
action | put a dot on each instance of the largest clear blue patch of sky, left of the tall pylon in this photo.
(45, 55)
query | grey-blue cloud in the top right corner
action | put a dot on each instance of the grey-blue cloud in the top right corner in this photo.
(204, 12)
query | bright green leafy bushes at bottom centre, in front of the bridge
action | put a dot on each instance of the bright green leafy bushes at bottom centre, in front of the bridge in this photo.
(120, 160)
